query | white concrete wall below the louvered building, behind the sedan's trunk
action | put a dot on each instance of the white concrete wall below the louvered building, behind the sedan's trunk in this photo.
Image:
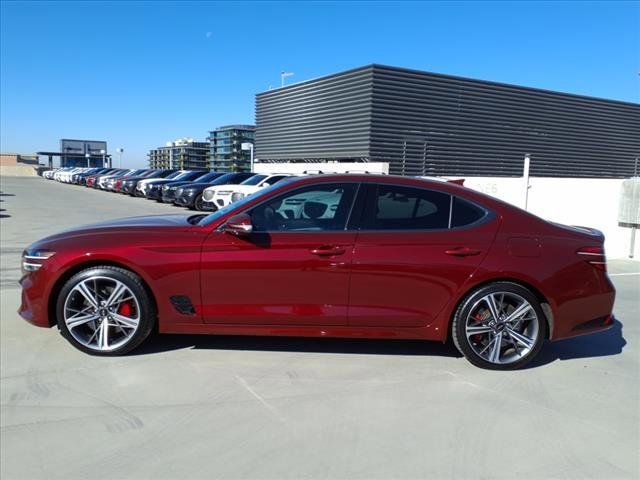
(572, 201)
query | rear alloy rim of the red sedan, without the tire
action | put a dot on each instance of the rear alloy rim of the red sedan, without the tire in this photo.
(502, 328)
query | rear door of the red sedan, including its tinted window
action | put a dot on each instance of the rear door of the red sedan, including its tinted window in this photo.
(415, 249)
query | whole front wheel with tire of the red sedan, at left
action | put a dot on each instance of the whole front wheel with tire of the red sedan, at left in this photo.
(105, 310)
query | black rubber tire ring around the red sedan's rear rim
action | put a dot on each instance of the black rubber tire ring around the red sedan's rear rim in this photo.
(458, 325)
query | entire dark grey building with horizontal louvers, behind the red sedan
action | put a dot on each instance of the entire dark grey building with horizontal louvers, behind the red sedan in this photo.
(439, 125)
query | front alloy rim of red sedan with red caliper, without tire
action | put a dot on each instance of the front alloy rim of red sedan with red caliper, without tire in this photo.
(101, 313)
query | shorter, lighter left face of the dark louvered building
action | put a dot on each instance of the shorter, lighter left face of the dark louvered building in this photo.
(324, 119)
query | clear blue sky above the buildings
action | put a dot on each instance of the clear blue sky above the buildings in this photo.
(140, 74)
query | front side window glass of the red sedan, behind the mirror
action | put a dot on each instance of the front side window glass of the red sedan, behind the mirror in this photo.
(324, 207)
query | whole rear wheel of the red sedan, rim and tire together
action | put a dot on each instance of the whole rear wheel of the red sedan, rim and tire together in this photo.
(500, 326)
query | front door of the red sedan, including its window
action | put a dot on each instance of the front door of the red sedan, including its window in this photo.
(292, 270)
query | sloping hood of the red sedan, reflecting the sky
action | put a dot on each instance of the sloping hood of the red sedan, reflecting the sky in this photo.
(120, 226)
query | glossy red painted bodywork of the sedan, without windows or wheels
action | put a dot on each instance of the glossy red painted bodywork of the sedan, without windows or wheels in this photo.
(352, 284)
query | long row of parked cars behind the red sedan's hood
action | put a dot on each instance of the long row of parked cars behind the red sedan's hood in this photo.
(194, 189)
